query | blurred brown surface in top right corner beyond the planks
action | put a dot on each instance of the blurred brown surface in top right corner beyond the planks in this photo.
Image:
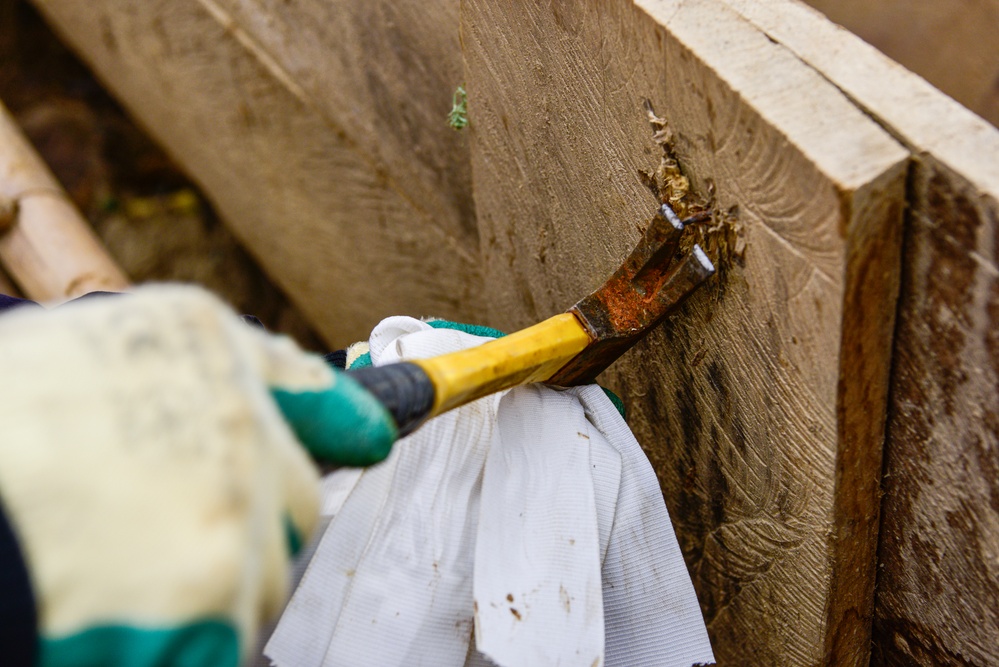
(952, 43)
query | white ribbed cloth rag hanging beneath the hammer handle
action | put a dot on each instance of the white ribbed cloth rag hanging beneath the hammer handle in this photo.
(532, 516)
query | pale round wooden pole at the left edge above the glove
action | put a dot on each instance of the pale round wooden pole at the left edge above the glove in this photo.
(46, 246)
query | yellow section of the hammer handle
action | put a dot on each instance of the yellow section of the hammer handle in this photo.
(529, 355)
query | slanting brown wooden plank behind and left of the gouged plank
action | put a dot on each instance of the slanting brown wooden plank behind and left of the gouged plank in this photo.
(324, 162)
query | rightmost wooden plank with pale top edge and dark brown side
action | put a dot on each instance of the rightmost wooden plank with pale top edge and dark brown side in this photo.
(939, 551)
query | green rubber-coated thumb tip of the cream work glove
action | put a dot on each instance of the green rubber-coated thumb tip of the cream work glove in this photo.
(341, 425)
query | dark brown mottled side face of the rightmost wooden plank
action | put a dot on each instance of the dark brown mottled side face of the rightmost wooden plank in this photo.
(938, 586)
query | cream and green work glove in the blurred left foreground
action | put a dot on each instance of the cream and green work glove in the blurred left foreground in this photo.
(154, 485)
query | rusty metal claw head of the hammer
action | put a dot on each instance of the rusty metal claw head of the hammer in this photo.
(649, 285)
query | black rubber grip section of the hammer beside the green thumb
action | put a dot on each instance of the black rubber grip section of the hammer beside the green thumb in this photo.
(403, 388)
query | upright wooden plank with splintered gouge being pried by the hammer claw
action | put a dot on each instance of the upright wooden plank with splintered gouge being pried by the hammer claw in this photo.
(762, 403)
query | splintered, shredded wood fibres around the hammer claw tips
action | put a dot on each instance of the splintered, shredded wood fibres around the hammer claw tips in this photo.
(720, 236)
